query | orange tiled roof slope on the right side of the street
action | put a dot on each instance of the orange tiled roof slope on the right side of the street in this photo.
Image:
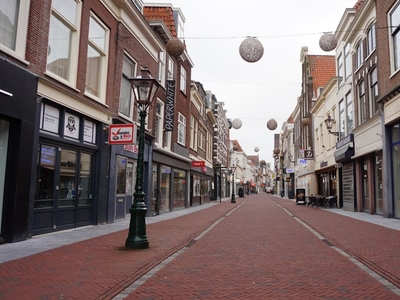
(322, 69)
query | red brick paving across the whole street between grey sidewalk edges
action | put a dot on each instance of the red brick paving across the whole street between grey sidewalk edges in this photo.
(262, 247)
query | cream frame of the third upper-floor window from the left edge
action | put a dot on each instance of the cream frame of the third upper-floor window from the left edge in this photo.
(102, 76)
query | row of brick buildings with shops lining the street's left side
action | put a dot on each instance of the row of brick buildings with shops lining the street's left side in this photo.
(65, 69)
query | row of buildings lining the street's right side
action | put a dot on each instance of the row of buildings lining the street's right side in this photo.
(343, 137)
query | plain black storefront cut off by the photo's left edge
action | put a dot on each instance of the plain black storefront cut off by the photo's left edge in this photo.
(19, 109)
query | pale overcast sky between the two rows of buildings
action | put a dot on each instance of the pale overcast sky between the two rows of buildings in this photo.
(267, 89)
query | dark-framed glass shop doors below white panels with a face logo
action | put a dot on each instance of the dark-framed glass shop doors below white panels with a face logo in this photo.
(64, 193)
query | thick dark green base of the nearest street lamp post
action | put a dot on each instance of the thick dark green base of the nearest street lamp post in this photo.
(137, 238)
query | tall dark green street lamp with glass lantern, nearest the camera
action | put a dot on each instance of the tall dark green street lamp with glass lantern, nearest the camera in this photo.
(145, 88)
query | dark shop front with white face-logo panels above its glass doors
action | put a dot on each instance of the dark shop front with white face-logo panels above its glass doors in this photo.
(68, 190)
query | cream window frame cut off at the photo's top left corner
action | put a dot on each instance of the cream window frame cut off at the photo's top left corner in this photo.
(21, 34)
